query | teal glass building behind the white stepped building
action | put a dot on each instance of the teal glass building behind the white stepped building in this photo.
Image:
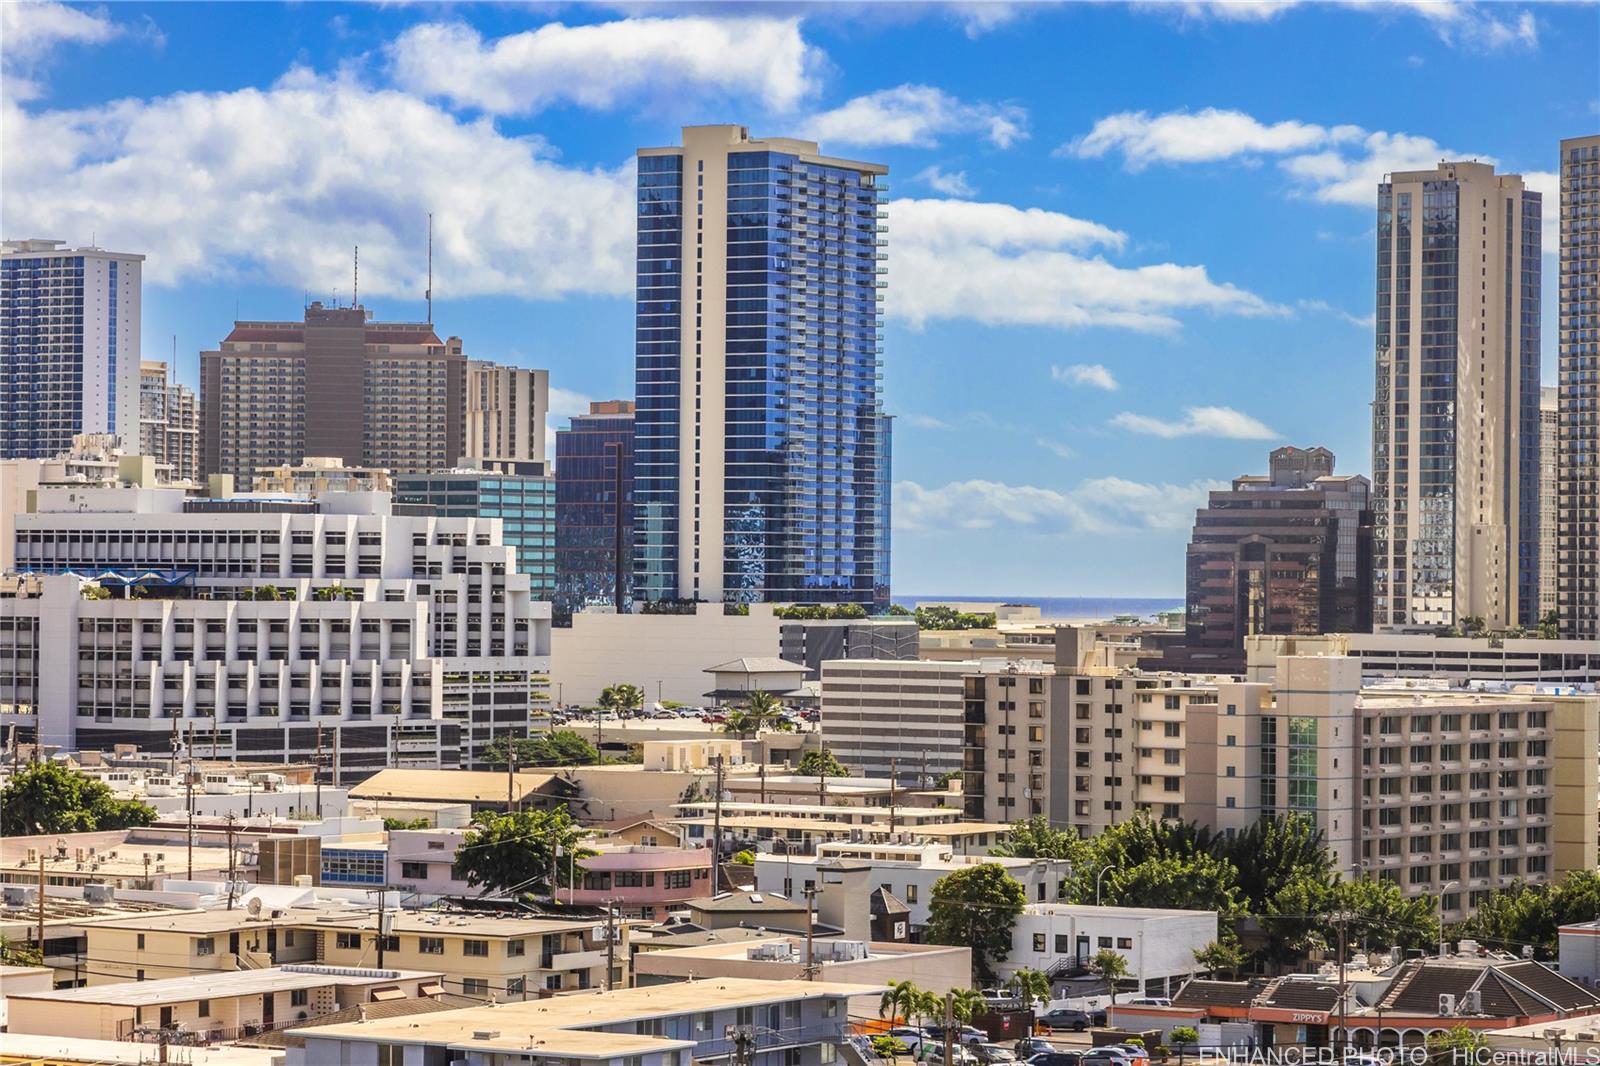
(524, 503)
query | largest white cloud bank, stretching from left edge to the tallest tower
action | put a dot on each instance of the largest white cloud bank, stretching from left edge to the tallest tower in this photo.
(348, 166)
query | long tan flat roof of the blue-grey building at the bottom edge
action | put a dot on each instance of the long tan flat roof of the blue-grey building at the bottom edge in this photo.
(538, 1019)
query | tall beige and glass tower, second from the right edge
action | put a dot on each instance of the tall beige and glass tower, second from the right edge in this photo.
(1457, 404)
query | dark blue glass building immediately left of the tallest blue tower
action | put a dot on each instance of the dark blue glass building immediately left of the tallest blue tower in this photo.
(594, 518)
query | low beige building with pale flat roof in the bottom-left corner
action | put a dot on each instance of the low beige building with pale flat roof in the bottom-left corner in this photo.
(212, 1006)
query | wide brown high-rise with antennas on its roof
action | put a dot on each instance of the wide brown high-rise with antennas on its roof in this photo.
(383, 395)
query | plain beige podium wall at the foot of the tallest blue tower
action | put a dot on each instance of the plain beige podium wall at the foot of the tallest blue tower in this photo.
(666, 655)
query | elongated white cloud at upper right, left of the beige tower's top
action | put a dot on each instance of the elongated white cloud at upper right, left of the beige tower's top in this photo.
(1209, 135)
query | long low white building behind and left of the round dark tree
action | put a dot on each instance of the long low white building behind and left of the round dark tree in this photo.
(906, 872)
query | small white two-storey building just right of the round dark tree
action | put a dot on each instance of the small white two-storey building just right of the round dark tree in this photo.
(1060, 939)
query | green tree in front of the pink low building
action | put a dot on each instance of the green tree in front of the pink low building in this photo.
(516, 854)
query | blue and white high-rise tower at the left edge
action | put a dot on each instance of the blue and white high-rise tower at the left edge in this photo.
(70, 347)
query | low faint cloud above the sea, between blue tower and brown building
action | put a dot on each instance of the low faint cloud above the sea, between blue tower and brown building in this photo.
(1103, 505)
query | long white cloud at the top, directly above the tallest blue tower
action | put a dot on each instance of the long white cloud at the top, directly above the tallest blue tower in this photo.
(606, 65)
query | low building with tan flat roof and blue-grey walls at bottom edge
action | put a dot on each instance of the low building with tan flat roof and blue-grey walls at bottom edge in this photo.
(804, 1022)
